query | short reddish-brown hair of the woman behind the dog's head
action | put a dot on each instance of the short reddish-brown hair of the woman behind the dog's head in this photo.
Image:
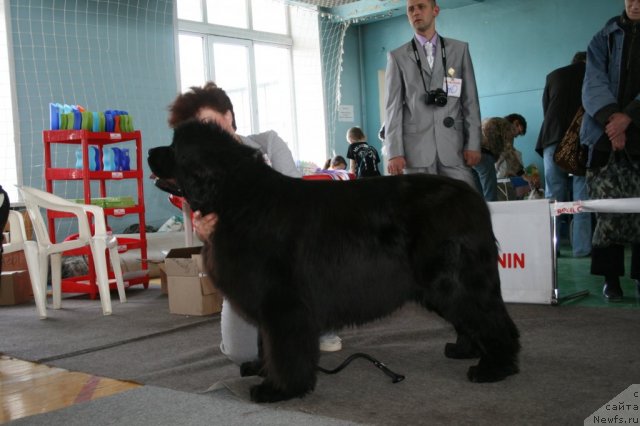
(187, 104)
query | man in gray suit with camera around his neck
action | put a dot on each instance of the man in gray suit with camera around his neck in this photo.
(432, 124)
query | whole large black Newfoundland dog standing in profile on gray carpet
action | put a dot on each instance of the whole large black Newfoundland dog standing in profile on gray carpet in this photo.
(299, 257)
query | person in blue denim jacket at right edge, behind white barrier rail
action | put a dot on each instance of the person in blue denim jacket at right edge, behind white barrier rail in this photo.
(611, 99)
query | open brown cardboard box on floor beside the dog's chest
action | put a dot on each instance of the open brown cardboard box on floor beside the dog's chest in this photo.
(191, 292)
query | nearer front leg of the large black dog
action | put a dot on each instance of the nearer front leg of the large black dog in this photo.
(291, 355)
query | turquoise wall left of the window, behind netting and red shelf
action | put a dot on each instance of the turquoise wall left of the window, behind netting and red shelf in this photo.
(102, 55)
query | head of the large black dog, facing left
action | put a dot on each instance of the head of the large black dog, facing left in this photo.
(201, 158)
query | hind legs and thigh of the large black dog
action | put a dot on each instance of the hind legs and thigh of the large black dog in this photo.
(465, 291)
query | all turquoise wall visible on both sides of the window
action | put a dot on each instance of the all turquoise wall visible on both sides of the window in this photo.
(115, 54)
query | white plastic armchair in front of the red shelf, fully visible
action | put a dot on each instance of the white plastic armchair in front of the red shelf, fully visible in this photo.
(36, 199)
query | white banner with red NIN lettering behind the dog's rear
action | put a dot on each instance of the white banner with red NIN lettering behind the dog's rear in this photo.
(524, 230)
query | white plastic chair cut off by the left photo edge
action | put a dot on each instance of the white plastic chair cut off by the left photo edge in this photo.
(18, 241)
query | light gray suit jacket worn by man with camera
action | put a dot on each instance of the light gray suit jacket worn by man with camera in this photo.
(416, 130)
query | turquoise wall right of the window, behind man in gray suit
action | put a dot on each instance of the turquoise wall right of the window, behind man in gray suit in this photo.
(514, 44)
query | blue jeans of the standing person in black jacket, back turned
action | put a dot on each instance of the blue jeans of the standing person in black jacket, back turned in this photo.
(557, 183)
